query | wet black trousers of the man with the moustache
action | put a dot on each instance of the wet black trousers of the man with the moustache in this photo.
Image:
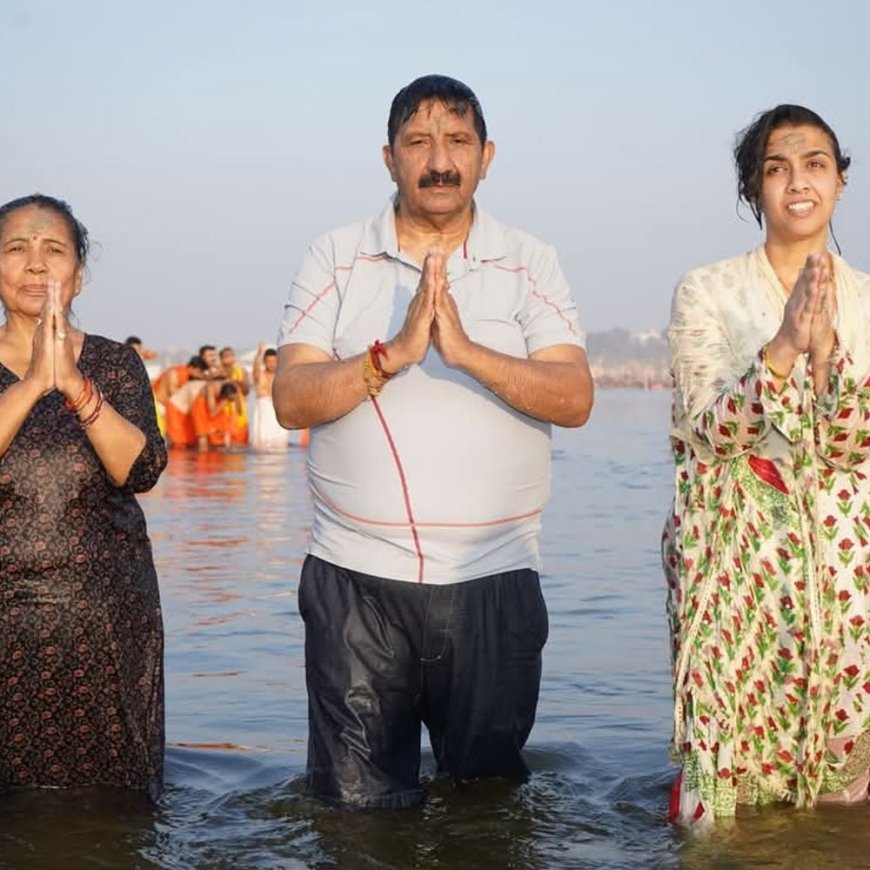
(384, 656)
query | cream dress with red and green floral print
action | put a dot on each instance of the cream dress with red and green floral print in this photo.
(766, 549)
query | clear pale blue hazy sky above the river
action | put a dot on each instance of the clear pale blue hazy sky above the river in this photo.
(206, 143)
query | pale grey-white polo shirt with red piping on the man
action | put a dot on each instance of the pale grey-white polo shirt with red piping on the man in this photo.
(436, 480)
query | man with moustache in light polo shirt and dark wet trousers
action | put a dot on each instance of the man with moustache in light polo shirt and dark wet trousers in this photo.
(428, 464)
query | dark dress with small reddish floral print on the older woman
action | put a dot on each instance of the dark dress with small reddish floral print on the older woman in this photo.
(81, 635)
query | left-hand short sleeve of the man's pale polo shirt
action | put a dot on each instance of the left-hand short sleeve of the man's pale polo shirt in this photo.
(312, 307)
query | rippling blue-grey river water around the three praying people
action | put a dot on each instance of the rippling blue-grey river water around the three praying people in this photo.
(229, 534)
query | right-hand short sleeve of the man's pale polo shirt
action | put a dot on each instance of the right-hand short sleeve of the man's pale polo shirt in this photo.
(549, 314)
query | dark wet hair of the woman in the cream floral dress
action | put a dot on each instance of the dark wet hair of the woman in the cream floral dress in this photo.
(752, 143)
